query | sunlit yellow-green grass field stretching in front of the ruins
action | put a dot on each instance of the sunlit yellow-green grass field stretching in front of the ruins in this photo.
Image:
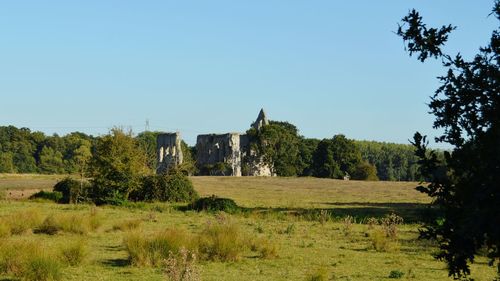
(337, 248)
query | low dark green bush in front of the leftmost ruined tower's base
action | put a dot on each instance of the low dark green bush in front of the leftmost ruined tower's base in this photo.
(172, 187)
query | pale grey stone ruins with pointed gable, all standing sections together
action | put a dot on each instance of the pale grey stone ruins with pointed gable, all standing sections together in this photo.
(217, 154)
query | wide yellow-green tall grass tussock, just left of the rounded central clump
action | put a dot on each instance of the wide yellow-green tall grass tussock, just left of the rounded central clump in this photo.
(153, 249)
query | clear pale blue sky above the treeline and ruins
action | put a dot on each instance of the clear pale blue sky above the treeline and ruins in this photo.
(209, 66)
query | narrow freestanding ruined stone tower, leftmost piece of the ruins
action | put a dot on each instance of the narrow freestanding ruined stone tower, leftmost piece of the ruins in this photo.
(169, 150)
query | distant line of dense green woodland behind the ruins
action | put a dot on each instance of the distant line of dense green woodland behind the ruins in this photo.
(26, 151)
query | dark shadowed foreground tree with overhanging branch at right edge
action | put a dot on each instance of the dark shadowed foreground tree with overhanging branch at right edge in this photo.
(466, 185)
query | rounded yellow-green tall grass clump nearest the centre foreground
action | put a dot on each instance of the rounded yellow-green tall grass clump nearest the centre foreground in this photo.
(222, 241)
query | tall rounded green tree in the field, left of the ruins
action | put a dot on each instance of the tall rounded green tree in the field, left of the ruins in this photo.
(116, 166)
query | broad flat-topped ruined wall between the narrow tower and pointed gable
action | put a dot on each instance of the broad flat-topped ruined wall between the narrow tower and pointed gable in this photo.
(224, 148)
